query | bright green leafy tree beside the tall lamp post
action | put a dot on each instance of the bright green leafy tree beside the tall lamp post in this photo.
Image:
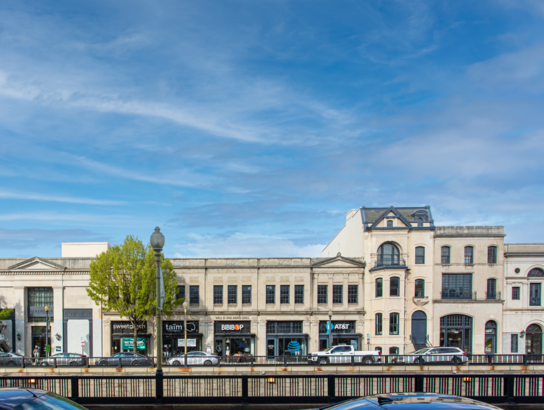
(123, 279)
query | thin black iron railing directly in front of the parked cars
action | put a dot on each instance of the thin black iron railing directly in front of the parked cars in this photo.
(287, 360)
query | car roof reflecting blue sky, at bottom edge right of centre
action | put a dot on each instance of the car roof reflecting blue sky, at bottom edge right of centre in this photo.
(411, 401)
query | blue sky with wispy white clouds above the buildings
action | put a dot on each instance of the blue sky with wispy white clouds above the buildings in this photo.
(250, 128)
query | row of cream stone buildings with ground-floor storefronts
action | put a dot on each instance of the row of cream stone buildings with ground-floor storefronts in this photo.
(391, 280)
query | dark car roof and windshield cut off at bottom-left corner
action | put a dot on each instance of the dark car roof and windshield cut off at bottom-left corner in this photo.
(18, 398)
